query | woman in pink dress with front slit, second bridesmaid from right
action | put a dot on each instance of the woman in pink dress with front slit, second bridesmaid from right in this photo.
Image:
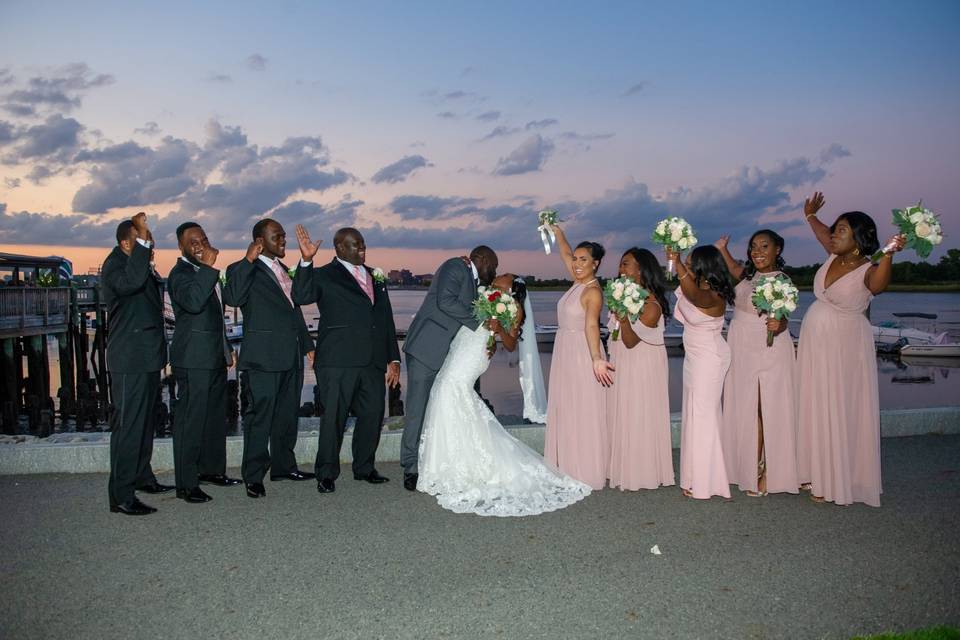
(759, 407)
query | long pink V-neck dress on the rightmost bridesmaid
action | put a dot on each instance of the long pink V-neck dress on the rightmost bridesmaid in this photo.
(838, 404)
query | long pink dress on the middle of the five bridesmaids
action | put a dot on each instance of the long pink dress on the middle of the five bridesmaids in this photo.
(705, 362)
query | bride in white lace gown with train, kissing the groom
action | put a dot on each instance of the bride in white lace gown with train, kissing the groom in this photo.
(467, 459)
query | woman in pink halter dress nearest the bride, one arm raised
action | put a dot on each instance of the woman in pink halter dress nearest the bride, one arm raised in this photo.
(576, 440)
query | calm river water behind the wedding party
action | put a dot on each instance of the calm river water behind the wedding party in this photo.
(901, 385)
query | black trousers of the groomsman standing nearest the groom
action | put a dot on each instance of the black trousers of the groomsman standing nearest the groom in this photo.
(359, 390)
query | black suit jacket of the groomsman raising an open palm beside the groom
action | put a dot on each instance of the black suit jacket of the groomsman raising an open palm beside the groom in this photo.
(351, 331)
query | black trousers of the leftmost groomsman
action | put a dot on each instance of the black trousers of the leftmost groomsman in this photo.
(131, 437)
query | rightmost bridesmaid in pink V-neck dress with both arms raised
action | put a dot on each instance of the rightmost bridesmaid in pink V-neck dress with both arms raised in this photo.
(838, 417)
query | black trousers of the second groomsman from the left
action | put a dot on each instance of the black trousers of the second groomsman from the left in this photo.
(200, 424)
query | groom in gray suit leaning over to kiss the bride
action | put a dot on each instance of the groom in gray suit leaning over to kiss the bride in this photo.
(447, 307)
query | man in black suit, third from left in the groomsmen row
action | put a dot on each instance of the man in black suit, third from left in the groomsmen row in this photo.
(271, 356)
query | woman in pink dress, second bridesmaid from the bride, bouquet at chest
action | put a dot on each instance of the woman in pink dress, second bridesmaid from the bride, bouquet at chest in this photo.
(638, 405)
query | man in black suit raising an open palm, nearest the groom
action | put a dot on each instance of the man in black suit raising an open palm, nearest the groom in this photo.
(357, 352)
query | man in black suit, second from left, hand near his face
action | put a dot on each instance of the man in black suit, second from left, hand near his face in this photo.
(200, 355)
